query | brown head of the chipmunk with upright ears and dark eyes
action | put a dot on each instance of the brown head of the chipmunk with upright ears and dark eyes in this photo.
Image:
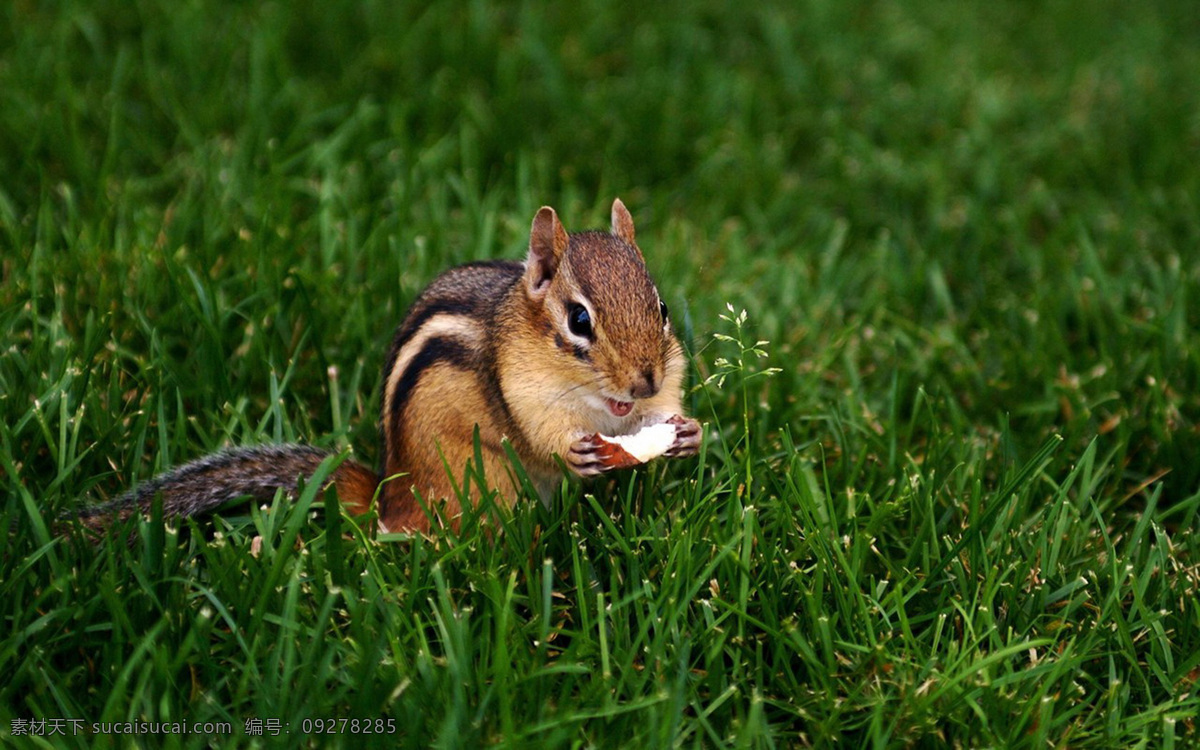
(601, 313)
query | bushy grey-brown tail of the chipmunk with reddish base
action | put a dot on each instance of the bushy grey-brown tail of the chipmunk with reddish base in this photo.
(206, 484)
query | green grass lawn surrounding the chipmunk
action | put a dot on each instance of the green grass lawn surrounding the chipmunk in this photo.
(963, 513)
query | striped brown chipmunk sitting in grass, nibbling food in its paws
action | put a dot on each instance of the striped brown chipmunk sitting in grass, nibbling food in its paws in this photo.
(545, 355)
